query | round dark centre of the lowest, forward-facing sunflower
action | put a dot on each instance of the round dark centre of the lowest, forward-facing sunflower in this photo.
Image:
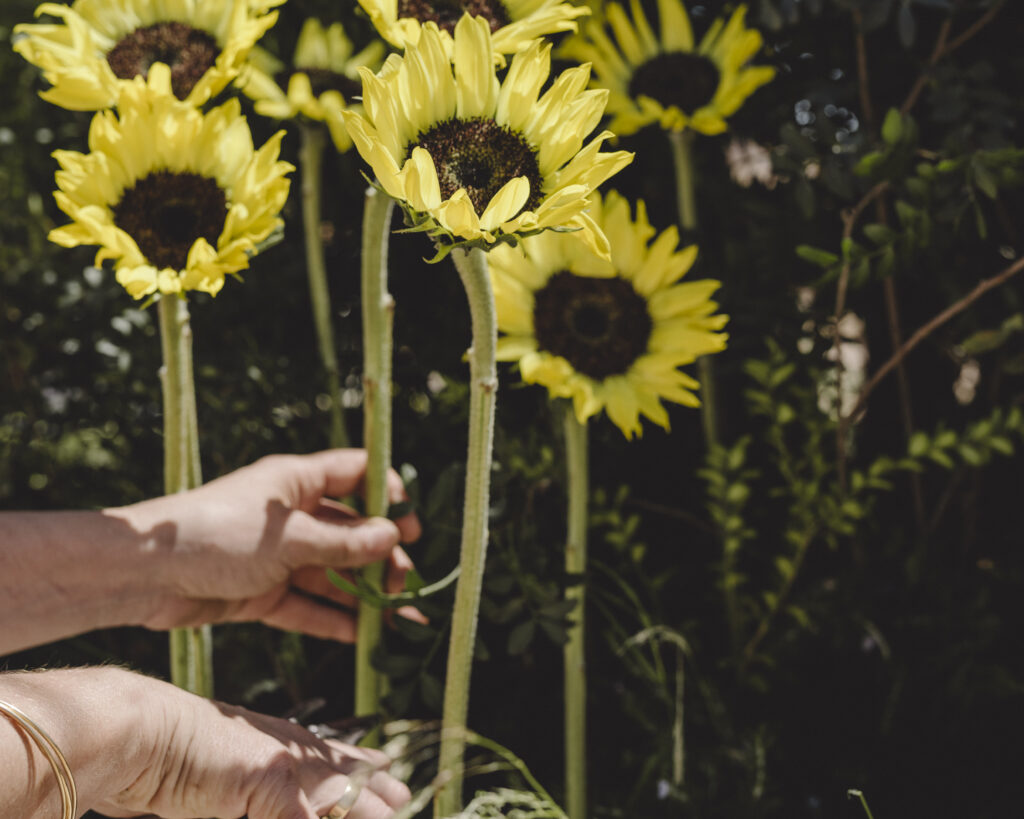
(600, 326)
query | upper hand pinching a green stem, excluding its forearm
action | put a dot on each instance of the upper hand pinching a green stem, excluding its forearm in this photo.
(254, 546)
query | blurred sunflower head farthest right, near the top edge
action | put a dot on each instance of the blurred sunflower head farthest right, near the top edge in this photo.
(672, 81)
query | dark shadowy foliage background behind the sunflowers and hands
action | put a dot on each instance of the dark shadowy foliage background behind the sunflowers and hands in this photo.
(900, 670)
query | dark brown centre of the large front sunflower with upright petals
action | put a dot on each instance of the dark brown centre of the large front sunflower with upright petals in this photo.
(481, 156)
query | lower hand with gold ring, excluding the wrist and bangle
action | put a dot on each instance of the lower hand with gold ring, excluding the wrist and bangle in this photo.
(209, 759)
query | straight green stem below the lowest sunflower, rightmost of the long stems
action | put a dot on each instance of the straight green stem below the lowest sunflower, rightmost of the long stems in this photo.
(575, 655)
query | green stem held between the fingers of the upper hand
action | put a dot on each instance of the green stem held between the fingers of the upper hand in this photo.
(378, 315)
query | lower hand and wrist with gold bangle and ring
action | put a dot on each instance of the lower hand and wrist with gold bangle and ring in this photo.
(138, 746)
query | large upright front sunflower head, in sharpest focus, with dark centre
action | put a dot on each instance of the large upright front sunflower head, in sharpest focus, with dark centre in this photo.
(475, 161)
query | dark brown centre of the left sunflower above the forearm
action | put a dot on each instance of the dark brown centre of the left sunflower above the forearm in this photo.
(166, 212)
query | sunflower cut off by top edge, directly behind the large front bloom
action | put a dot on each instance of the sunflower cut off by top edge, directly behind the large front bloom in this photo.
(514, 23)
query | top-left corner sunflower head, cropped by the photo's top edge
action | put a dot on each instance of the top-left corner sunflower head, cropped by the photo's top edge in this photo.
(101, 46)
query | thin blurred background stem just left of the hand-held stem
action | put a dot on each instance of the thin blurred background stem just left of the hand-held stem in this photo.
(312, 164)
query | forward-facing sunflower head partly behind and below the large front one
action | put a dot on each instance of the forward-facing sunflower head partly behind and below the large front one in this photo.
(610, 334)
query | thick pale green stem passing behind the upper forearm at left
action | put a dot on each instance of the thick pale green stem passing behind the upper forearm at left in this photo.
(192, 650)
